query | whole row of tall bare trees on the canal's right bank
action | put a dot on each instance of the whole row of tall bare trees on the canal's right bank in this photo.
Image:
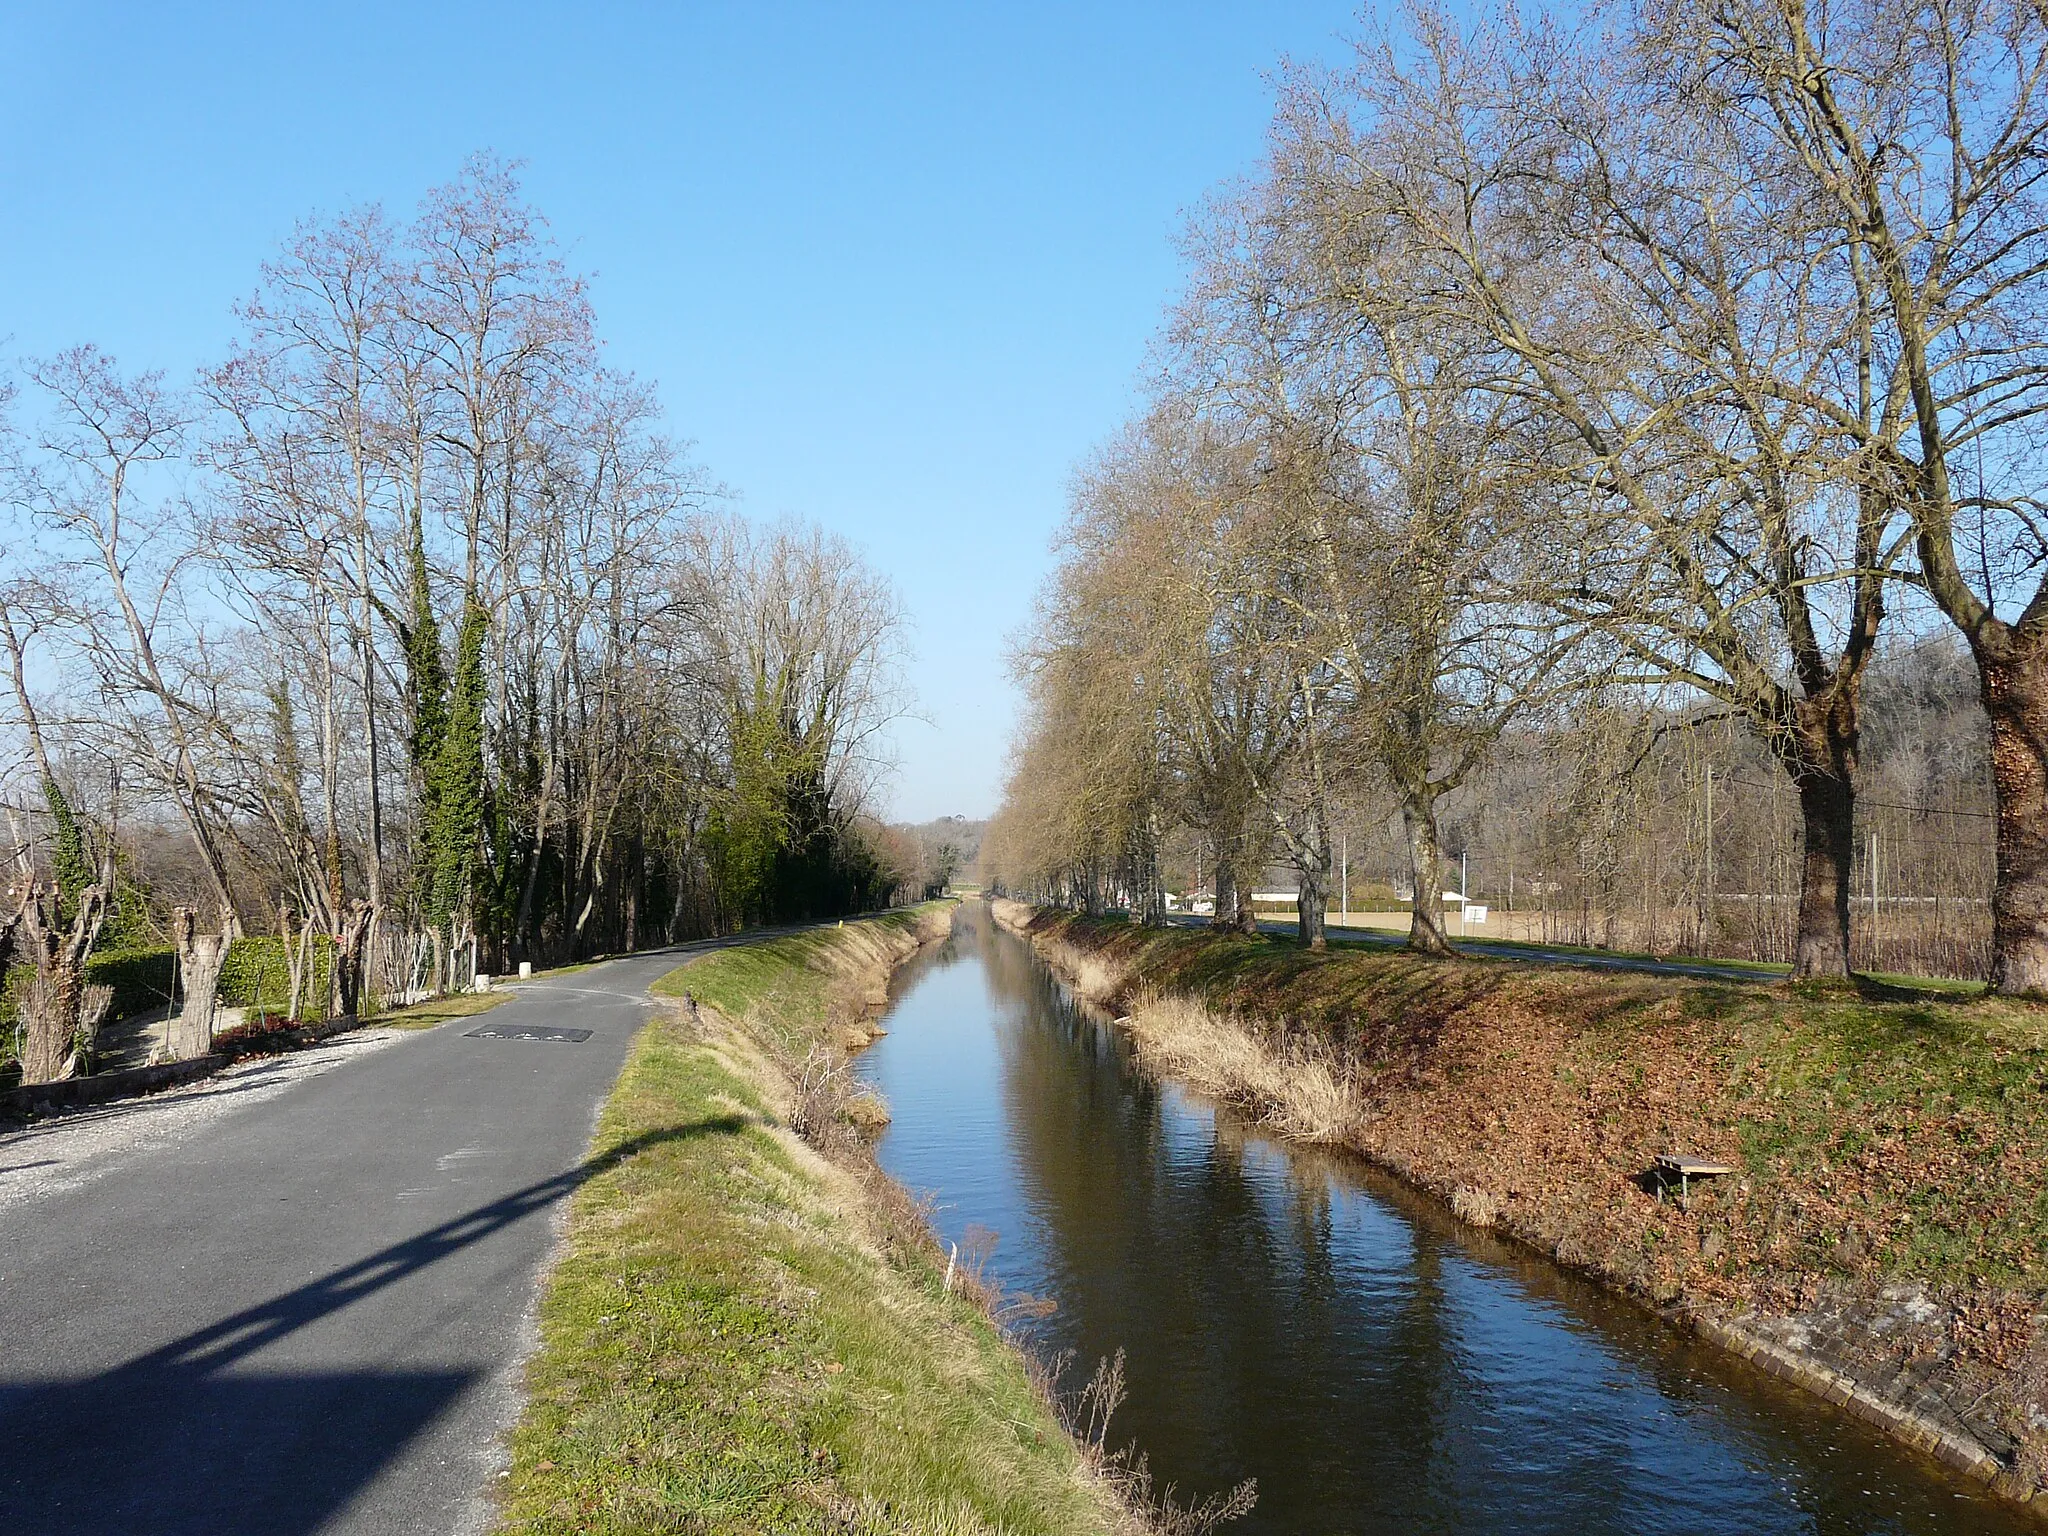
(1615, 450)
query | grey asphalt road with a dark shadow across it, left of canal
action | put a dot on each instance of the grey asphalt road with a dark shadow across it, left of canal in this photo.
(296, 1299)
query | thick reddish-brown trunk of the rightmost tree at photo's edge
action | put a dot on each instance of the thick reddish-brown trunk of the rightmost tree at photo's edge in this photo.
(2016, 697)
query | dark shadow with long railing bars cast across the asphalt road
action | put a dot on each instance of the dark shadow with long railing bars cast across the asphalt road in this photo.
(198, 1437)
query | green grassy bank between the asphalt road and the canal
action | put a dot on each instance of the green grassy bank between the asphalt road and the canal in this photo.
(744, 1334)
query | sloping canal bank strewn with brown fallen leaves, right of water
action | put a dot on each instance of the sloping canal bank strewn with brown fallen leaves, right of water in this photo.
(1881, 1244)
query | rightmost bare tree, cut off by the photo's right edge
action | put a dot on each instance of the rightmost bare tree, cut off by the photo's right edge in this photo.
(1918, 140)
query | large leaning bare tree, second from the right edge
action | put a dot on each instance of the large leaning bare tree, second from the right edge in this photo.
(1633, 298)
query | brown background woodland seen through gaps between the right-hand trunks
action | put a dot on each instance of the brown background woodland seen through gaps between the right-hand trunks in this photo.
(1689, 843)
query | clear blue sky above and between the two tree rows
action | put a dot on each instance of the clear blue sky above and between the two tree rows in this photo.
(894, 267)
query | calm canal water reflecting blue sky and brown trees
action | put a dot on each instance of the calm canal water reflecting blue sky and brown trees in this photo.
(1304, 1322)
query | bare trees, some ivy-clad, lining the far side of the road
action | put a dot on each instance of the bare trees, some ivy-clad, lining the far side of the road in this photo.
(404, 634)
